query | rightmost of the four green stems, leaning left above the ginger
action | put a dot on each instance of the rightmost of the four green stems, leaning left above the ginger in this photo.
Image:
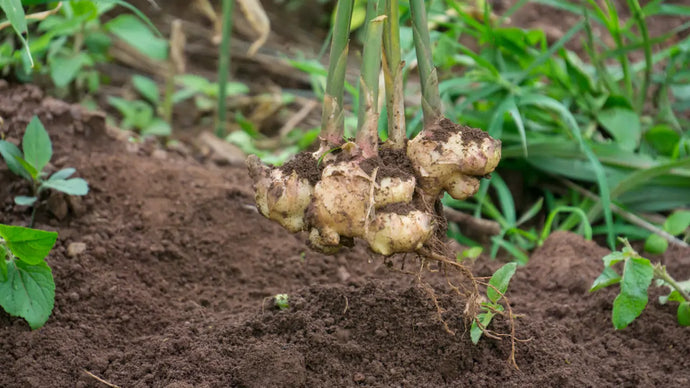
(431, 98)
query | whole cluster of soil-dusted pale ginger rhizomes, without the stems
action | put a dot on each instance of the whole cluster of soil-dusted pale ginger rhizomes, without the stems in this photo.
(390, 205)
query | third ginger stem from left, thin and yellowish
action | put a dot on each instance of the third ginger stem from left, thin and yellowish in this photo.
(392, 70)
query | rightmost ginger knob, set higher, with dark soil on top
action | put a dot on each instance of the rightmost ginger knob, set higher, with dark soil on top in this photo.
(453, 165)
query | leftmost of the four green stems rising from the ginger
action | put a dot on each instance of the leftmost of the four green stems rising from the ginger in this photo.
(332, 120)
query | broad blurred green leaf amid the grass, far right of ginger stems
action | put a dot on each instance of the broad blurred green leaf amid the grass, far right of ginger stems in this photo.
(623, 124)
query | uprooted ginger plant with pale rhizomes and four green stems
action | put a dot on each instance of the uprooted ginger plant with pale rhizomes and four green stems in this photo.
(385, 194)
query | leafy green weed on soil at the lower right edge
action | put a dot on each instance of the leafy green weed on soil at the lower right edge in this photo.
(638, 274)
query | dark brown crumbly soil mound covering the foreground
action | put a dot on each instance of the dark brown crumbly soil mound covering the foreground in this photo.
(173, 291)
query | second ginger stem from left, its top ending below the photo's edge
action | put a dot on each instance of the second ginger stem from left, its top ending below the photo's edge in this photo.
(368, 115)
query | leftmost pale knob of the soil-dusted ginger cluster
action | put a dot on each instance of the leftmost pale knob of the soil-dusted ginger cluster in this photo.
(280, 197)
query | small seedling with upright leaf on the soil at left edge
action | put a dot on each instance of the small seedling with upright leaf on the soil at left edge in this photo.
(29, 164)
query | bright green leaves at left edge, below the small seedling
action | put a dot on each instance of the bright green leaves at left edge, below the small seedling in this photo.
(27, 288)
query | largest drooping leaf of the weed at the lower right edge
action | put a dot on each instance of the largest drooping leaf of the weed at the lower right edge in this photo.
(628, 305)
